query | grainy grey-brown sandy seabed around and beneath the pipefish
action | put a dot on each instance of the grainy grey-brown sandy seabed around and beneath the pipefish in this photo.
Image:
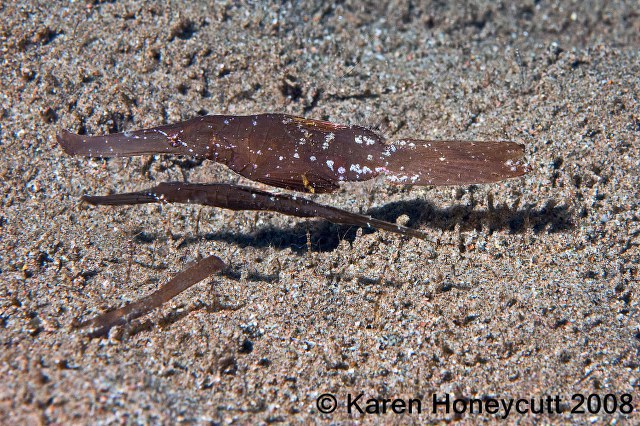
(526, 289)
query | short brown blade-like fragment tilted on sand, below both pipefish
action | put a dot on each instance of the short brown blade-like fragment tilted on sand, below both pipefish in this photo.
(101, 324)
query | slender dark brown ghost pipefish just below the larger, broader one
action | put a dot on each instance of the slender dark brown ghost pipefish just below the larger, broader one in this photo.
(236, 197)
